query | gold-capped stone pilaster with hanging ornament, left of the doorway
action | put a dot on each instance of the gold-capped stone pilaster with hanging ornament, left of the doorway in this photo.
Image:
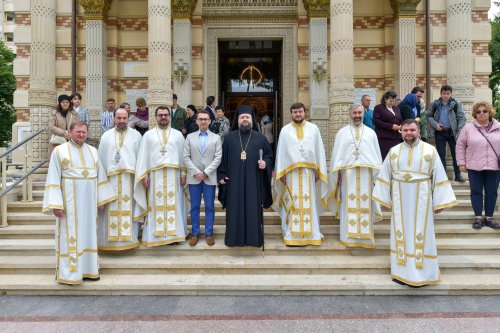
(182, 46)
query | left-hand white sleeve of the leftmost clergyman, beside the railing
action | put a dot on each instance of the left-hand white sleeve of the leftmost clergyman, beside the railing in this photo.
(53, 198)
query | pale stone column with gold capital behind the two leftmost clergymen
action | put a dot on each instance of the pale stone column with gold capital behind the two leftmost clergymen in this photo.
(96, 12)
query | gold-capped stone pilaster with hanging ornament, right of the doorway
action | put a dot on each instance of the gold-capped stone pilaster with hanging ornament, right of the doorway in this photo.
(318, 11)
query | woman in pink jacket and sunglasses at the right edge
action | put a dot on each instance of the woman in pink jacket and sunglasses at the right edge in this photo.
(477, 152)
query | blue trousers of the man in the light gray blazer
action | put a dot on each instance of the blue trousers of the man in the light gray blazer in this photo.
(195, 192)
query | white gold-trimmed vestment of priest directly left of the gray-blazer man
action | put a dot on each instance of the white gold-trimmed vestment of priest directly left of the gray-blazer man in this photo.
(164, 204)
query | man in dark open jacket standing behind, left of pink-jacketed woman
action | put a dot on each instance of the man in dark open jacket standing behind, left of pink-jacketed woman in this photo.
(446, 119)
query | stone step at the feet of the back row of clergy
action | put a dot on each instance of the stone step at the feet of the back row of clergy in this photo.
(273, 246)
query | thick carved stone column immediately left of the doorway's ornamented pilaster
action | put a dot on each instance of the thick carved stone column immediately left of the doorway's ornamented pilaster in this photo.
(159, 56)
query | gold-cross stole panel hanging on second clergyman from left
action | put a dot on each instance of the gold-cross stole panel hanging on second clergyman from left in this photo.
(120, 211)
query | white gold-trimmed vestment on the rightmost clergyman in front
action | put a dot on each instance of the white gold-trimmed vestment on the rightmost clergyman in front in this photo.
(414, 184)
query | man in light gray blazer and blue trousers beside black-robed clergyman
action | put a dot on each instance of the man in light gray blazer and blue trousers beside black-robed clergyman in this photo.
(202, 156)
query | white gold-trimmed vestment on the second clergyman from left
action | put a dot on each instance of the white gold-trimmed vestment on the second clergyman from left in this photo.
(118, 155)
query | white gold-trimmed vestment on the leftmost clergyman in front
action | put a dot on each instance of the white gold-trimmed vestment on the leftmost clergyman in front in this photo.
(76, 183)
